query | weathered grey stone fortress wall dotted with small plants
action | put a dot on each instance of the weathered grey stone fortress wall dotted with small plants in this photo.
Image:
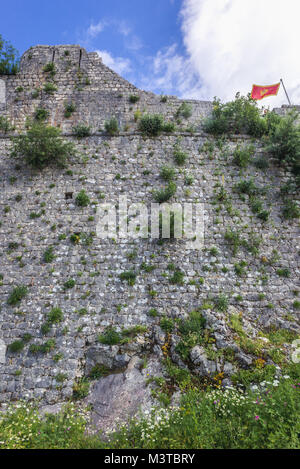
(105, 168)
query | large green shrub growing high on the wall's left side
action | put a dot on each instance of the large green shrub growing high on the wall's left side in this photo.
(41, 146)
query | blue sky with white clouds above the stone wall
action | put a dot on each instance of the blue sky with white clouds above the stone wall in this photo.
(190, 48)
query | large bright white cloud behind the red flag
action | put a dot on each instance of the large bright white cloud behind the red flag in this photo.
(232, 44)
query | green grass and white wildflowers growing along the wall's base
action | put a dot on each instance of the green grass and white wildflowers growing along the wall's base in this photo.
(212, 419)
